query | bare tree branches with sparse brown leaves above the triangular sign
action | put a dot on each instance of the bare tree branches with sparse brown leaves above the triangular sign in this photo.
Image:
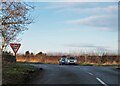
(14, 19)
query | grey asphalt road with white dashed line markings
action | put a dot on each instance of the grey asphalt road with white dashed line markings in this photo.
(75, 74)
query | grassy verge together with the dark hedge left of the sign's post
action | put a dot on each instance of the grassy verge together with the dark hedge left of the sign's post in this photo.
(16, 73)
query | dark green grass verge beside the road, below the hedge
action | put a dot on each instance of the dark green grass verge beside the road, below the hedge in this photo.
(18, 73)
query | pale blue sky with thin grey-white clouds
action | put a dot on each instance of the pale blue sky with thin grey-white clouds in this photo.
(72, 27)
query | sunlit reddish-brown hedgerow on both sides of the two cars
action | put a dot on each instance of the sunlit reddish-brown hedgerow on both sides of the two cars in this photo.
(97, 60)
